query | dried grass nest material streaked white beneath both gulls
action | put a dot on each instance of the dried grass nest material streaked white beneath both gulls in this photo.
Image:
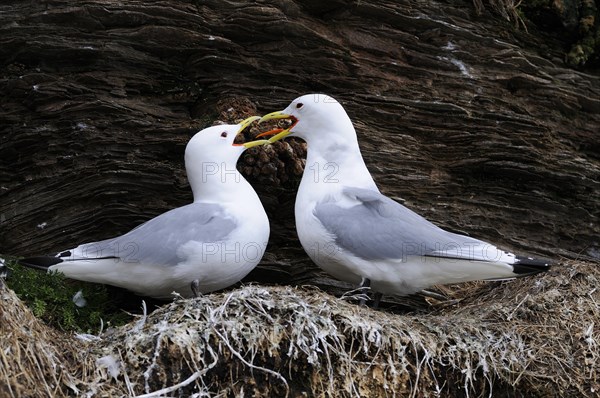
(529, 337)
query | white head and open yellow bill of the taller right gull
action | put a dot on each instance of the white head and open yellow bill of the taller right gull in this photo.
(315, 117)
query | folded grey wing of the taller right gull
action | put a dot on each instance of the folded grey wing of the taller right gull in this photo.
(379, 228)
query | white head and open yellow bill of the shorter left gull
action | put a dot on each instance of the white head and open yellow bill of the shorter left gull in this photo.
(211, 157)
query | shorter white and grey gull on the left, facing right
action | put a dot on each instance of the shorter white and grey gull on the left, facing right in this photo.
(207, 245)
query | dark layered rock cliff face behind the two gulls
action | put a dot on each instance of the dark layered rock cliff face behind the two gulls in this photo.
(479, 127)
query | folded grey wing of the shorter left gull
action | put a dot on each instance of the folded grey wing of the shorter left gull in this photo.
(158, 240)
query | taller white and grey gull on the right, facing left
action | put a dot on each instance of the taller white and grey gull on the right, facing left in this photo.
(353, 232)
